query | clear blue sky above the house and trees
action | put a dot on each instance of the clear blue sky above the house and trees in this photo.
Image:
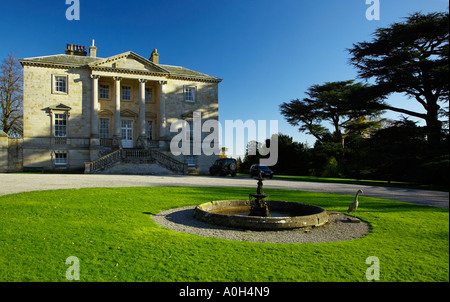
(266, 52)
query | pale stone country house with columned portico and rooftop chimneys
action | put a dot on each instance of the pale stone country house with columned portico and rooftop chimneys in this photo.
(78, 108)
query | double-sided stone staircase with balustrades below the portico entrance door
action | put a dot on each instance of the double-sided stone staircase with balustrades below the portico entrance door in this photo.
(136, 161)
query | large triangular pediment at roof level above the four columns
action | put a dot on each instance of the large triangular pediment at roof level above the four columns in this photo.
(129, 61)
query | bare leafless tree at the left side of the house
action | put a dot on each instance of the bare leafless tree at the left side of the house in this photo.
(11, 97)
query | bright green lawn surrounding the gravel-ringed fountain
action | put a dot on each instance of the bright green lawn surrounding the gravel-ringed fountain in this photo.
(111, 231)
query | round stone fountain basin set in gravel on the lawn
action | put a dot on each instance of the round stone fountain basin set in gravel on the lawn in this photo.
(284, 215)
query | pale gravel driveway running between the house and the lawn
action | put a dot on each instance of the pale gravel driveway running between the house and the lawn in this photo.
(15, 183)
